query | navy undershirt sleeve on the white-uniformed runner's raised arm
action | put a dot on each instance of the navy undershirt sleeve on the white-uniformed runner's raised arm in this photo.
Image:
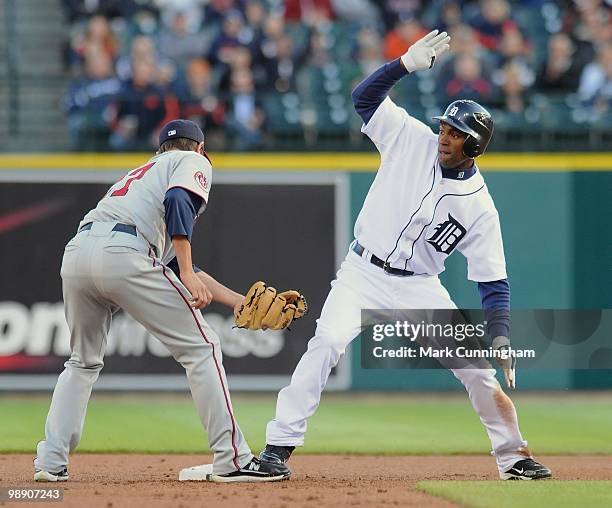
(370, 93)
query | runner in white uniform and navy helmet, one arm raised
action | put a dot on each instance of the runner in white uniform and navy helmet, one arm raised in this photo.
(428, 199)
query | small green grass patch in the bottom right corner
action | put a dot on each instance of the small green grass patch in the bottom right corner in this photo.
(480, 494)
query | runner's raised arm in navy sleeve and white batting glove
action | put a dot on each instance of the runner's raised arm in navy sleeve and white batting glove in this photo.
(371, 92)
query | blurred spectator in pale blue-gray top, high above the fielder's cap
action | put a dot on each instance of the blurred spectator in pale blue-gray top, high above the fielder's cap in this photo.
(178, 44)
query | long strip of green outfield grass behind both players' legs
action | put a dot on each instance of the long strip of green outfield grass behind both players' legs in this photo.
(343, 424)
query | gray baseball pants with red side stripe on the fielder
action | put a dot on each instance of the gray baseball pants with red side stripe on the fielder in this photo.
(103, 271)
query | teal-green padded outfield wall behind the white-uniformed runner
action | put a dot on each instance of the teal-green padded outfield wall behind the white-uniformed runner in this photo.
(558, 248)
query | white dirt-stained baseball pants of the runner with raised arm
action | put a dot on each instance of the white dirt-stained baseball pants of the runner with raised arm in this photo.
(361, 285)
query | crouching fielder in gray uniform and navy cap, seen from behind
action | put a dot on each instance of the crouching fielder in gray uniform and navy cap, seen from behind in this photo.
(133, 252)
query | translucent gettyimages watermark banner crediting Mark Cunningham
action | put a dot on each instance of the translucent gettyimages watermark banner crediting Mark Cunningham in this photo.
(460, 338)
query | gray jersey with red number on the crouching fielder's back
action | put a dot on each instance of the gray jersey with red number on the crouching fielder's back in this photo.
(138, 198)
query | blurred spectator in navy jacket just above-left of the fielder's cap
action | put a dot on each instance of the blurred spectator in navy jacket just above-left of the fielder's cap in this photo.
(140, 108)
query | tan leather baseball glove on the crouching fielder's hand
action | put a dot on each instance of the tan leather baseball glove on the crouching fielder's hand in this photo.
(264, 308)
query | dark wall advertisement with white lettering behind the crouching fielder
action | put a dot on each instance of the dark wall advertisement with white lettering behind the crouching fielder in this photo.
(236, 240)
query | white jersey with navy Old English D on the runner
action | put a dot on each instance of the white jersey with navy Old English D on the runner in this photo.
(414, 218)
